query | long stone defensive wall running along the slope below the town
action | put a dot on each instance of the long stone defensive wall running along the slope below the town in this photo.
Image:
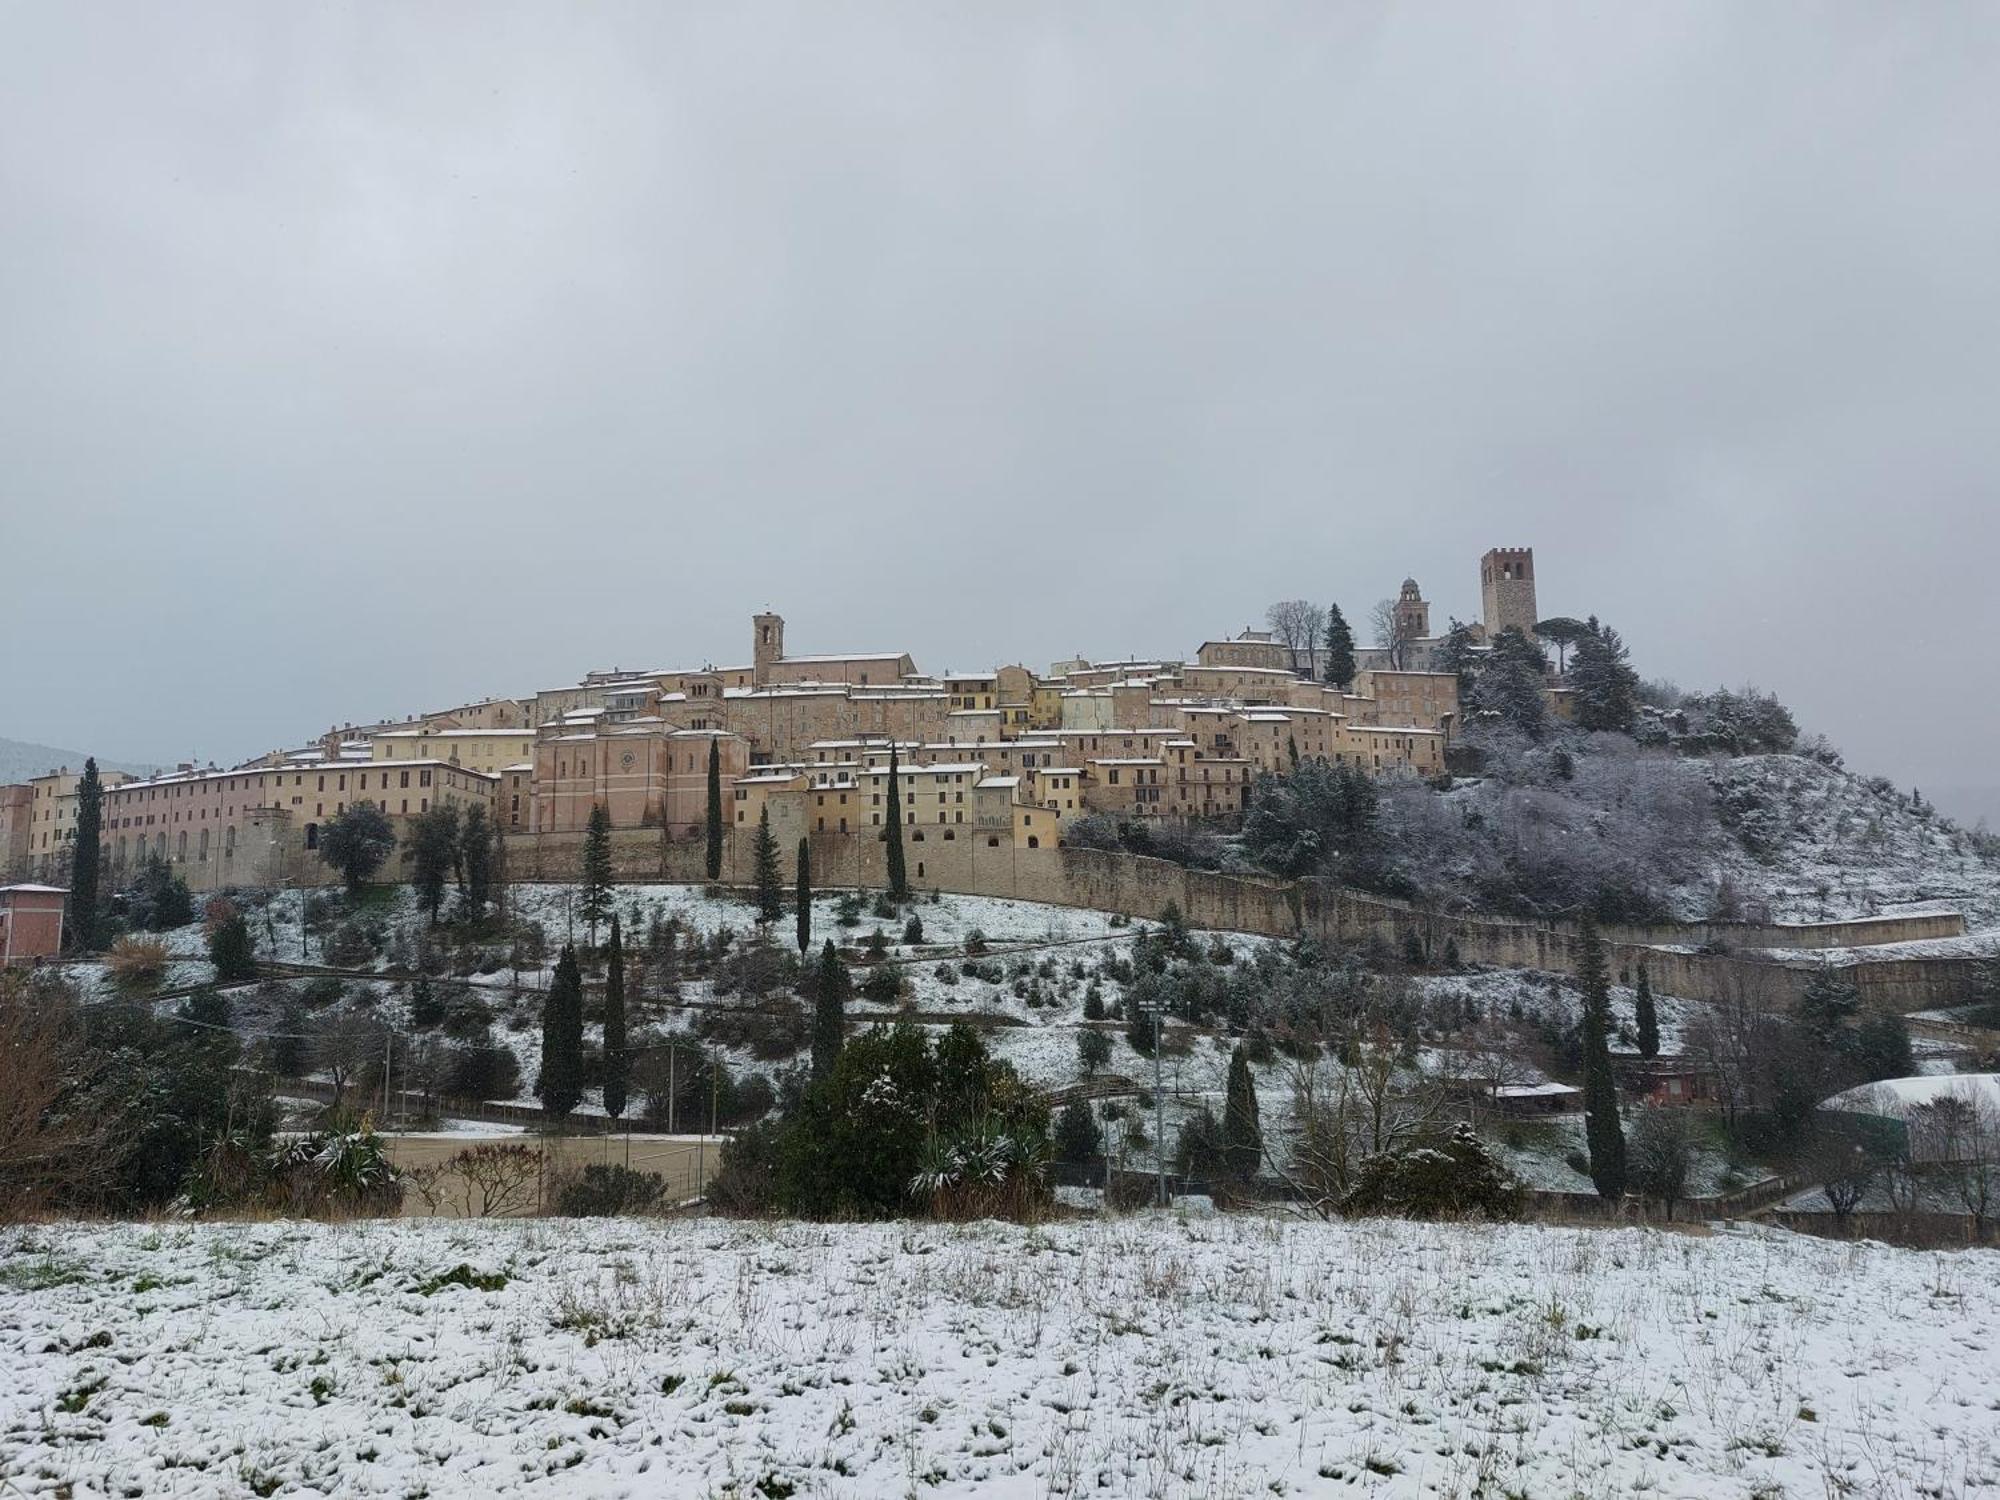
(1761, 965)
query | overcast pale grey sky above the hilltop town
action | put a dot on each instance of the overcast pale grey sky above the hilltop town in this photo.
(363, 359)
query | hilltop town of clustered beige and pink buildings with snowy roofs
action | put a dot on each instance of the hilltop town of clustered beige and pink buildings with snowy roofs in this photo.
(993, 759)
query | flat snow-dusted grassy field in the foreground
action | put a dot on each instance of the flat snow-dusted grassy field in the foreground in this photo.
(1157, 1357)
